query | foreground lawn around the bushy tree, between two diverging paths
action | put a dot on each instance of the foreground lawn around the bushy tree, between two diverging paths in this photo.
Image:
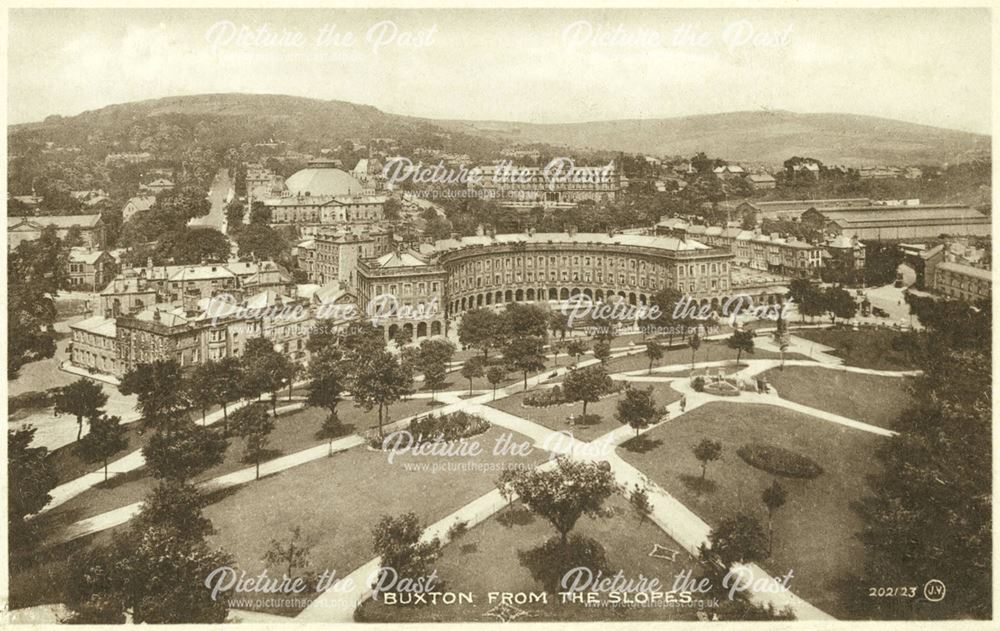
(499, 542)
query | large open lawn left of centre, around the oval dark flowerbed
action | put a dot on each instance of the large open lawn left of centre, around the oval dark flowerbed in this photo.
(337, 501)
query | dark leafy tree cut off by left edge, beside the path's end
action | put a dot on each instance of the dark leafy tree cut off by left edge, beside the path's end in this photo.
(30, 477)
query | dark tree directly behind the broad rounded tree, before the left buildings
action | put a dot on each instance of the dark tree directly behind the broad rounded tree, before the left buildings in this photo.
(160, 401)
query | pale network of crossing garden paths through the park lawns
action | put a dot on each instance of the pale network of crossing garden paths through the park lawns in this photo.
(667, 512)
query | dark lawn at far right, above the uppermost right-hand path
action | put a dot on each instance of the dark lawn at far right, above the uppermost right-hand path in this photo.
(865, 348)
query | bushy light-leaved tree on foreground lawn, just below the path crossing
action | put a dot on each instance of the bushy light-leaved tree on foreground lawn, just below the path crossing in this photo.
(562, 495)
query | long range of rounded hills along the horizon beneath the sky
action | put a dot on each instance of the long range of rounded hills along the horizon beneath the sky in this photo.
(767, 137)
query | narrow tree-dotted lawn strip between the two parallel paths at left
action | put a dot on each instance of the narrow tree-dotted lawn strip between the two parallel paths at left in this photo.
(293, 432)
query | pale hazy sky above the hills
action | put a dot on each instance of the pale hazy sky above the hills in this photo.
(929, 66)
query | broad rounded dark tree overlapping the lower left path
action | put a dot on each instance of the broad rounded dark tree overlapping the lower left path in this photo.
(183, 452)
